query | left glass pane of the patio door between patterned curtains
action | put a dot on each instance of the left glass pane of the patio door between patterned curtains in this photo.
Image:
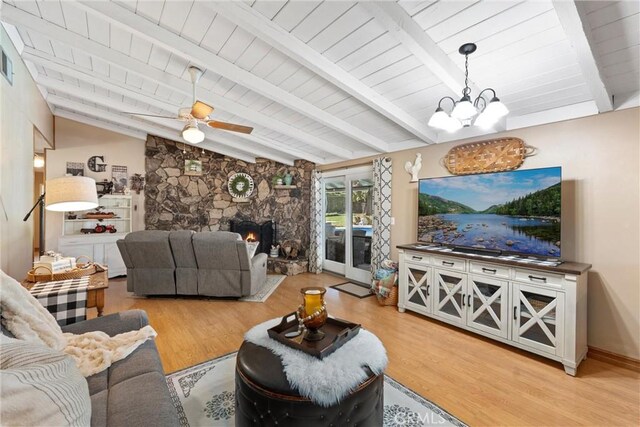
(335, 212)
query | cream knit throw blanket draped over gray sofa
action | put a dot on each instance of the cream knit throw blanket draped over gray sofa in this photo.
(93, 352)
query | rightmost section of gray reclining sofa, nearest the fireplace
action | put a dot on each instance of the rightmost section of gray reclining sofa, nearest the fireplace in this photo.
(224, 266)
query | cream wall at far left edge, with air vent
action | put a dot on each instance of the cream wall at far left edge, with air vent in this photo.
(21, 109)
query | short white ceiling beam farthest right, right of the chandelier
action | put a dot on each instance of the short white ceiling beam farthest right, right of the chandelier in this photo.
(578, 32)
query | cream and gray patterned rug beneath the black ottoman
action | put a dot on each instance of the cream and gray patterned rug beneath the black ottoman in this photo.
(204, 396)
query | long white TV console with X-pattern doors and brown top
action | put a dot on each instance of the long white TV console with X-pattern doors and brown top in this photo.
(537, 308)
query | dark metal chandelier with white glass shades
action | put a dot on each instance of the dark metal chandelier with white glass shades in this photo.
(488, 110)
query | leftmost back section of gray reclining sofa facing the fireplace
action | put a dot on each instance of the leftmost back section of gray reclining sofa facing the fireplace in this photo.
(149, 260)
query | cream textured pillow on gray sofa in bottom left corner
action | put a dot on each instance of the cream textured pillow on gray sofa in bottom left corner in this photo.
(41, 386)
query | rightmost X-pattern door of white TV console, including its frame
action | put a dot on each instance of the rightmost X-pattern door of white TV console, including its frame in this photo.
(538, 318)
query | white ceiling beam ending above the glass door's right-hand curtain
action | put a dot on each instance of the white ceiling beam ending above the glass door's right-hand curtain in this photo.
(201, 57)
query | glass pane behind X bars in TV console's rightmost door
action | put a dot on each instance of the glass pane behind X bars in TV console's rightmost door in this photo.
(543, 327)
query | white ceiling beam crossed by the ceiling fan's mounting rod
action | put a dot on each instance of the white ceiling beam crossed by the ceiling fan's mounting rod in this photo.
(20, 18)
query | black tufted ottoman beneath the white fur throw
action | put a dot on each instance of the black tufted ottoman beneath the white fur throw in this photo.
(264, 397)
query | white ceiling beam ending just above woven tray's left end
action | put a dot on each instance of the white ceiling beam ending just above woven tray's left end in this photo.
(249, 19)
